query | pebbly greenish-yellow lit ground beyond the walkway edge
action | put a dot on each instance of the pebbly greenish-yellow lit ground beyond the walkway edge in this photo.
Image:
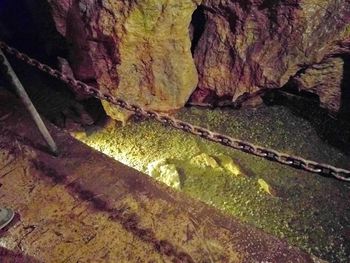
(309, 211)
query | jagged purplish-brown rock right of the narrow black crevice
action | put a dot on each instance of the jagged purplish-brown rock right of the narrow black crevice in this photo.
(245, 46)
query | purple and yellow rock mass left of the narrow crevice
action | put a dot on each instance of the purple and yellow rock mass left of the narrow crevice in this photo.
(139, 51)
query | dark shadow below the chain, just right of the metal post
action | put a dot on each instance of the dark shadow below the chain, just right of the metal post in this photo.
(55, 100)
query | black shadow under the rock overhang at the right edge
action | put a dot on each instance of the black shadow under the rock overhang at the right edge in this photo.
(334, 130)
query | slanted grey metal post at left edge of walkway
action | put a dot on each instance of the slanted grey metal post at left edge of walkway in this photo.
(28, 103)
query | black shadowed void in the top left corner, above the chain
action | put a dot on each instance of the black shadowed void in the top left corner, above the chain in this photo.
(28, 26)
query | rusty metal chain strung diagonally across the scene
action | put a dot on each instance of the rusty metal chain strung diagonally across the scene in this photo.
(237, 144)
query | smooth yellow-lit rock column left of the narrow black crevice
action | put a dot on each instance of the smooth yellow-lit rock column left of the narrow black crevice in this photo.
(157, 69)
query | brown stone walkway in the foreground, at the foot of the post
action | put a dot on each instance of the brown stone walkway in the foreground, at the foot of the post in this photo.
(86, 207)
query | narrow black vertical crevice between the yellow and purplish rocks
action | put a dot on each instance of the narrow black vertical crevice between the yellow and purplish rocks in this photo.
(197, 26)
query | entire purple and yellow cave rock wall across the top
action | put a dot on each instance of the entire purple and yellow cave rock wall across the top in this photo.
(141, 50)
